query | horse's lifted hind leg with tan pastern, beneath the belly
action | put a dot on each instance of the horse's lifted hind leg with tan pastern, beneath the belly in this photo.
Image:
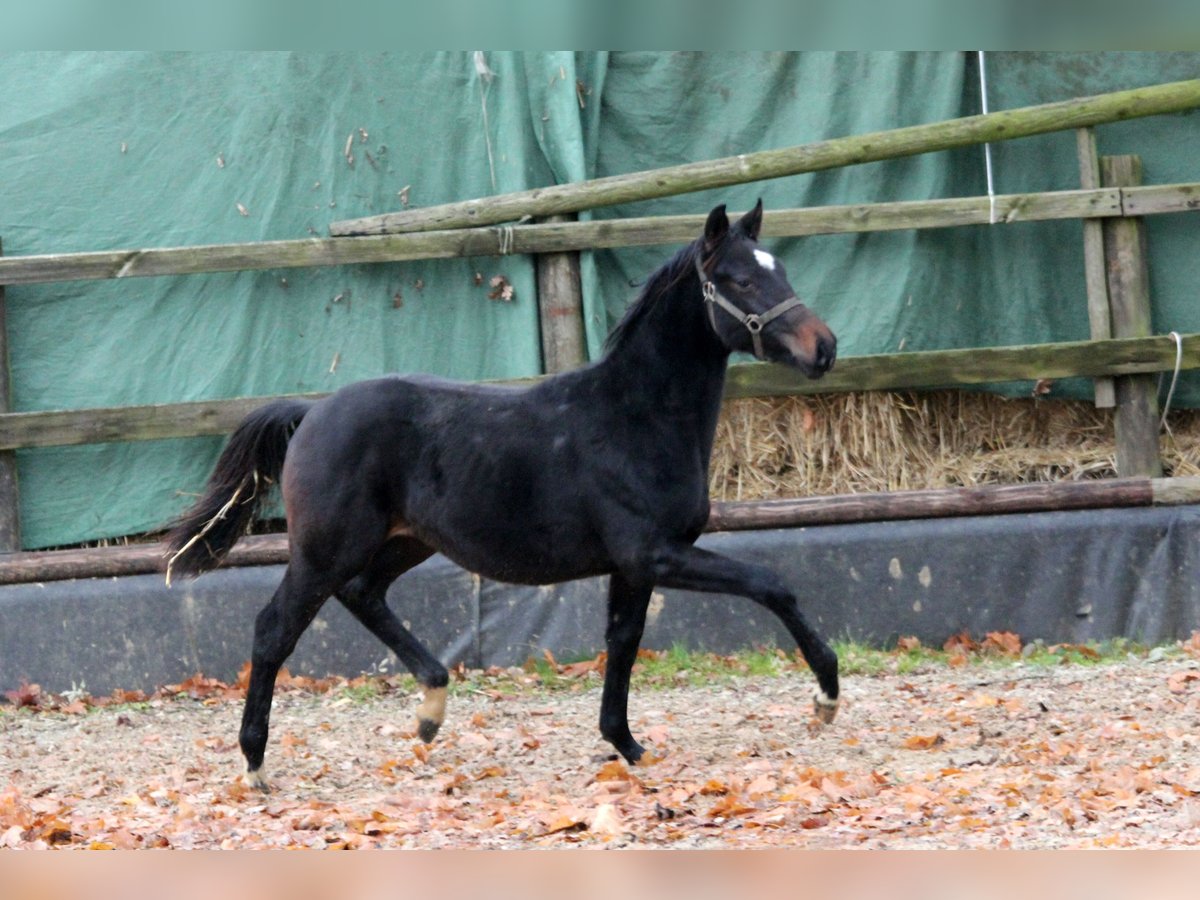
(365, 598)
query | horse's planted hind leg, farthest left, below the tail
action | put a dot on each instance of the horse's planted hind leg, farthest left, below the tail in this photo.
(278, 628)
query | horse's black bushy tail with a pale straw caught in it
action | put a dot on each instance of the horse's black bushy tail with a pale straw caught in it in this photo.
(253, 460)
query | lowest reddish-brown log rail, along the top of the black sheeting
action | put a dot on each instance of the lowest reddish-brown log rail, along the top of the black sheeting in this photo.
(980, 501)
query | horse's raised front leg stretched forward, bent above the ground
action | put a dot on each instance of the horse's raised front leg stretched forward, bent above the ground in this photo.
(691, 568)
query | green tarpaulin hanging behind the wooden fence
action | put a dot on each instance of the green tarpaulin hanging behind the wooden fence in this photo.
(127, 151)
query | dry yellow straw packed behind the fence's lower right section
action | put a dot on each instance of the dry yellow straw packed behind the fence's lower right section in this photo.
(860, 443)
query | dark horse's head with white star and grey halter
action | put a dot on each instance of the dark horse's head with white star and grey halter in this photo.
(752, 308)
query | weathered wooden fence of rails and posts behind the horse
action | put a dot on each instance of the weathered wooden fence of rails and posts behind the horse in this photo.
(1111, 205)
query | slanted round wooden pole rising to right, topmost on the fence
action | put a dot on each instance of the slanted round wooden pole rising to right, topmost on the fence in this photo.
(854, 151)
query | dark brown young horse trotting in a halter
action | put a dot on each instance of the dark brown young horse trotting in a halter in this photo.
(603, 471)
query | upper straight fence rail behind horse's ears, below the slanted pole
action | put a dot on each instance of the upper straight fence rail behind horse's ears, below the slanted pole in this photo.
(569, 237)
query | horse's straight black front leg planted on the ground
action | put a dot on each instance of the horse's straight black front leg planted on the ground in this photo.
(627, 620)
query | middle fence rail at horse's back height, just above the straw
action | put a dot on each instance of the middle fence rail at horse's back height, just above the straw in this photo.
(895, 371)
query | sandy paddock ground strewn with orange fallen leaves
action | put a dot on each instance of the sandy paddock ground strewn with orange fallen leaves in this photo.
(973, 757)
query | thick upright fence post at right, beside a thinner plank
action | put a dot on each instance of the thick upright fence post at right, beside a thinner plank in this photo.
(1129, 281)
